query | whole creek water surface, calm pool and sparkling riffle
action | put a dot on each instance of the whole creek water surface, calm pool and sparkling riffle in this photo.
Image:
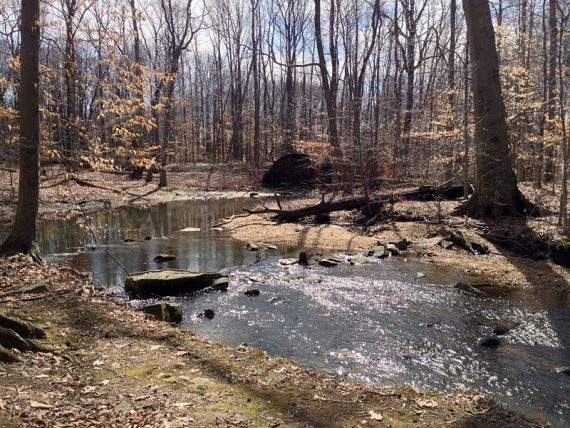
(375, 323)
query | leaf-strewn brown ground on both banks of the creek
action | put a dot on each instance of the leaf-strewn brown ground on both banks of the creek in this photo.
(110, 366)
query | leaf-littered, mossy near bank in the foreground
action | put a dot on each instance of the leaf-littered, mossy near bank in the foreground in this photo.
(112, 366)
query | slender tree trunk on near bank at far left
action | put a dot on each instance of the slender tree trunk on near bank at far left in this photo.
(23, 235)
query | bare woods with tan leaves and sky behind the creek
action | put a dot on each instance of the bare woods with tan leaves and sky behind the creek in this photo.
(382, 85)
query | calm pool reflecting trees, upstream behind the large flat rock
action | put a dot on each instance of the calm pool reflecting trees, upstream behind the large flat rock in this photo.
(69, 241)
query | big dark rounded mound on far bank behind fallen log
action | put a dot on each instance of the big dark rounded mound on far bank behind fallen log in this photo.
(293, 169)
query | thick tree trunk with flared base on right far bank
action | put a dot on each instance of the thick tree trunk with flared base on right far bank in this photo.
(496, 192)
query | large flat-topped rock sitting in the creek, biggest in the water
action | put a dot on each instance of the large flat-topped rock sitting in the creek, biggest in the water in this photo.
(168, 282)
